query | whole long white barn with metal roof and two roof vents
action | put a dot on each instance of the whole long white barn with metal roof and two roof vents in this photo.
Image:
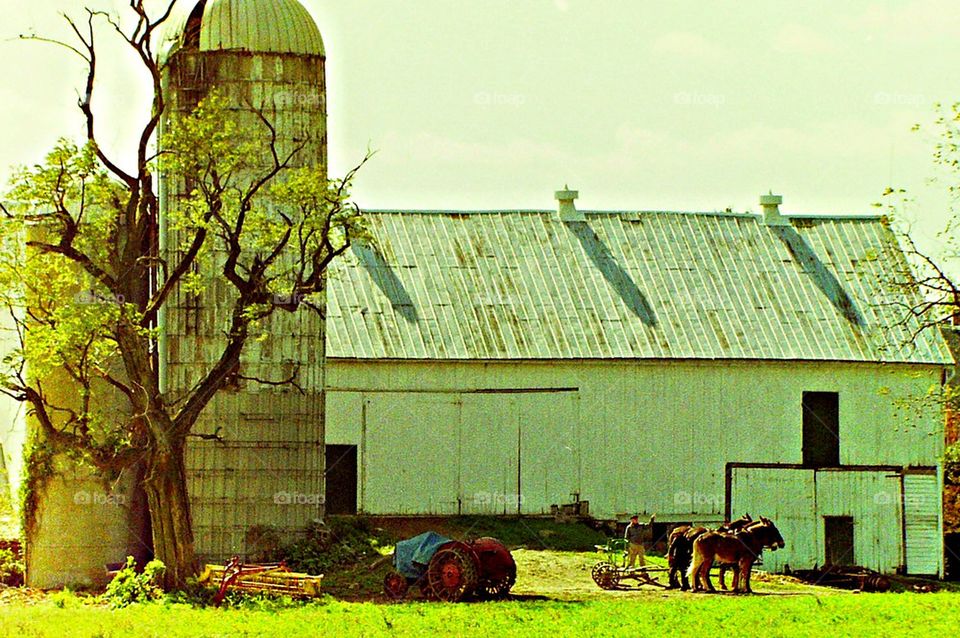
(692, 365)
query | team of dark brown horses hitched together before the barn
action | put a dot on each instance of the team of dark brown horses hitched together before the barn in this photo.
(737, 545)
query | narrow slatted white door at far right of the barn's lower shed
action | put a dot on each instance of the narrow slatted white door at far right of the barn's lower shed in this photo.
(921, 515)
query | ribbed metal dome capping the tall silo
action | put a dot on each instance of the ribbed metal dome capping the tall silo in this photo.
(257, 26)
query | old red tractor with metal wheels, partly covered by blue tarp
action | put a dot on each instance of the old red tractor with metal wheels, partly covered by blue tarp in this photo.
(449, 570)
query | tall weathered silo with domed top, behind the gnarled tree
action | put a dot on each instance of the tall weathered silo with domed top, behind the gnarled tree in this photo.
(267, 469)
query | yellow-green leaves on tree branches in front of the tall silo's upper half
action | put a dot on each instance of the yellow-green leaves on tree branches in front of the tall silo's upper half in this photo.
(300, 209)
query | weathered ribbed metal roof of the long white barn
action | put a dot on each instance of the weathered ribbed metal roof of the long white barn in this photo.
(640, 285)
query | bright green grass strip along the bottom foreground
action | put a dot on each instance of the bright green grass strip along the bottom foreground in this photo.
(785, 614)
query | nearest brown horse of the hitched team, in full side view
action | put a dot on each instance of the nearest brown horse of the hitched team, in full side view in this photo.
(741, 548)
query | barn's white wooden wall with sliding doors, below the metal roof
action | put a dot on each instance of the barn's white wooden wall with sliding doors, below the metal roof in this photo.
(652, 437)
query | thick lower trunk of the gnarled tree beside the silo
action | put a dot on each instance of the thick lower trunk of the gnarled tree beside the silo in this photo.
(166, 488)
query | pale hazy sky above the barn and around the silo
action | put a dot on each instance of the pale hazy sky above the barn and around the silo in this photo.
(640, 105)
